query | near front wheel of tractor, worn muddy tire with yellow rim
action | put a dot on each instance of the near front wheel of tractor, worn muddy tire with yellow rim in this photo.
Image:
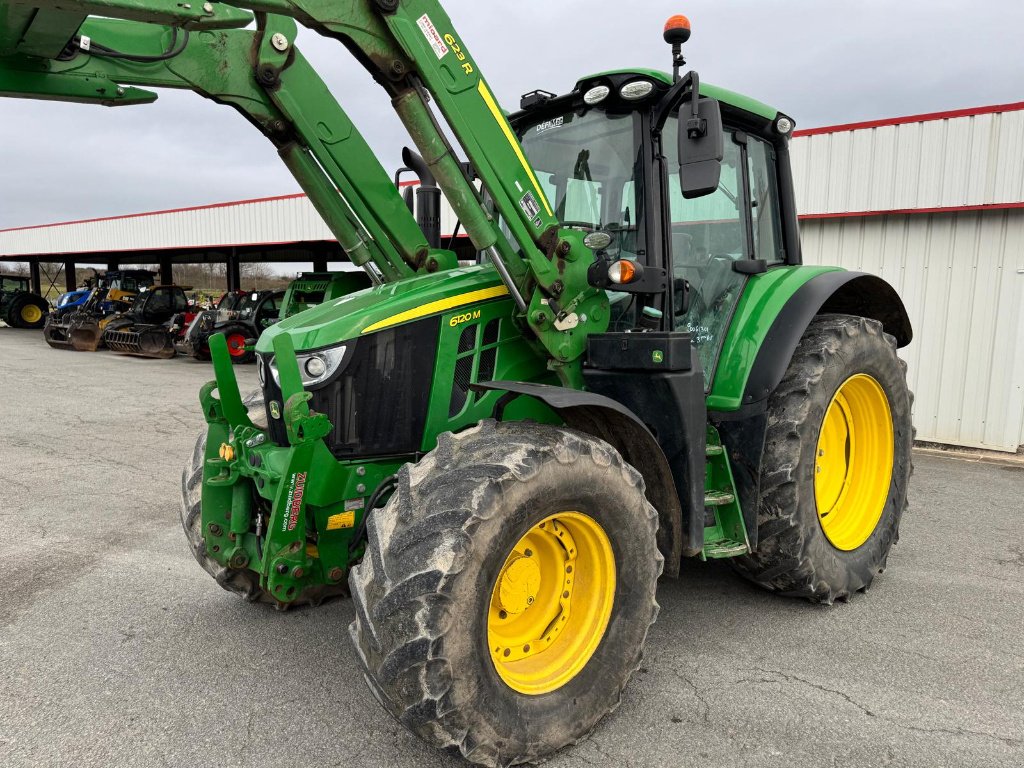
(492, 544)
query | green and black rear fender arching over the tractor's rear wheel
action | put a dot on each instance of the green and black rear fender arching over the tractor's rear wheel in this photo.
(773, 316)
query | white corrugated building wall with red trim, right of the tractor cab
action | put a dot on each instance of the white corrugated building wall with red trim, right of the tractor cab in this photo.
(935, 205)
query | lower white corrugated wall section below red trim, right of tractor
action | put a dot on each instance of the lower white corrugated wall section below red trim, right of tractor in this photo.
(962, 278)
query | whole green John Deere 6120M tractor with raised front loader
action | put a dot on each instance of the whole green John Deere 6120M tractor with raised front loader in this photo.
(498, 462)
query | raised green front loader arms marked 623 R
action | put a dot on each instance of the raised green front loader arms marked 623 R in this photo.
(414, 53)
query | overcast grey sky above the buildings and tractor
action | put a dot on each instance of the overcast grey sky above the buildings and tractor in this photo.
(824, 62)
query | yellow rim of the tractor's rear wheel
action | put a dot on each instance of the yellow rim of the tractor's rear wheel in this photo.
(855, 462)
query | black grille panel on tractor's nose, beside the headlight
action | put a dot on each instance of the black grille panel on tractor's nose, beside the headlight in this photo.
(378, 403)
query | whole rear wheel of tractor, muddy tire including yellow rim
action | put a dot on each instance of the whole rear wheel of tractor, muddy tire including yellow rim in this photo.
(801, 551)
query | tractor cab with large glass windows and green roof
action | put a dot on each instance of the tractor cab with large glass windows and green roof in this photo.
(611, 159)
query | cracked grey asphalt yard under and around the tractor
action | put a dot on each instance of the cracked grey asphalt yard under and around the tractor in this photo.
(116, 650)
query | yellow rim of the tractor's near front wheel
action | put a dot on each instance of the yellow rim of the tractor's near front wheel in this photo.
(551, 604)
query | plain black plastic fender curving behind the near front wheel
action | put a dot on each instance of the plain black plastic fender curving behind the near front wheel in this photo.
(617, 425)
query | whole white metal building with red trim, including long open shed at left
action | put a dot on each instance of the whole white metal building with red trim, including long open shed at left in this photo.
(932, 203)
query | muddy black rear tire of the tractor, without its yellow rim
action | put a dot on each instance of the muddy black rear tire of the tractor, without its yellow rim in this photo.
(794, 556)
